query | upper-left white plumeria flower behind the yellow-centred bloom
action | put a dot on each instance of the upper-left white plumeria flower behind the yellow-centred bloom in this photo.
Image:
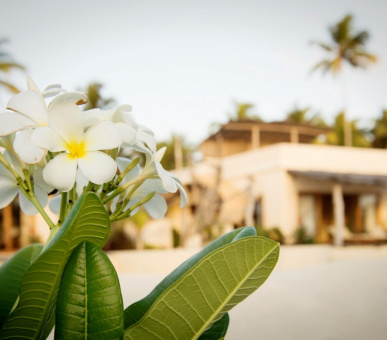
(31, 112)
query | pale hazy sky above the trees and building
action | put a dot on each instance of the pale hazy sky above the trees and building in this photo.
(182, 65)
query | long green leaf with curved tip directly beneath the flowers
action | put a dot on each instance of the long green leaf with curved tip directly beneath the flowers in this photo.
(87, 221)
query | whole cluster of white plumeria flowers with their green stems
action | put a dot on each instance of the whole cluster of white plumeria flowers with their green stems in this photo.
(53, 147)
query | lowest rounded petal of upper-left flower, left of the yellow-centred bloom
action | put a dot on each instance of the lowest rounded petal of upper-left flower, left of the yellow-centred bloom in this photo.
(26, 149)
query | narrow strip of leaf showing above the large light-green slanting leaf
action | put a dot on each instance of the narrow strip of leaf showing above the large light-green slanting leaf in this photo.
(137, 310)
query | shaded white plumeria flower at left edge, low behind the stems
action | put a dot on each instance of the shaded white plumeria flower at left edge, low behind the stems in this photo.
(9, 188)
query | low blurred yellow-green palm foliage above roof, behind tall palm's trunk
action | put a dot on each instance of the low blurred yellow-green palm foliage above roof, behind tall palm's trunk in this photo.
(336, 136)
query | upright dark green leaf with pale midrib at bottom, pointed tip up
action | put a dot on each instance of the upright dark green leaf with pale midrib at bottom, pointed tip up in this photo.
(89, 304)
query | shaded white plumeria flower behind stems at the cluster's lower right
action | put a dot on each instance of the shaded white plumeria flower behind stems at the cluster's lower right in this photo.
(156, 207)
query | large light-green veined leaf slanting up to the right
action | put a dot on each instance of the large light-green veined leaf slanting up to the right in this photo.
(208, 290)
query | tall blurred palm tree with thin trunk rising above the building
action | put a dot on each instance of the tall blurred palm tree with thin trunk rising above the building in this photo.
(347, 46)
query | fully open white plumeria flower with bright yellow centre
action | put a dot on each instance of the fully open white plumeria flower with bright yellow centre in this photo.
(78, 149)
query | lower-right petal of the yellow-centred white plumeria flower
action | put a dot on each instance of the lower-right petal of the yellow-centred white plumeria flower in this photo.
(97, 167)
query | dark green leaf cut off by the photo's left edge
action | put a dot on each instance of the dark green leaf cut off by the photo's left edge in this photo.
(11, 273)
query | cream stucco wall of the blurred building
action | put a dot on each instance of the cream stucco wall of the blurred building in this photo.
(279, 190)
